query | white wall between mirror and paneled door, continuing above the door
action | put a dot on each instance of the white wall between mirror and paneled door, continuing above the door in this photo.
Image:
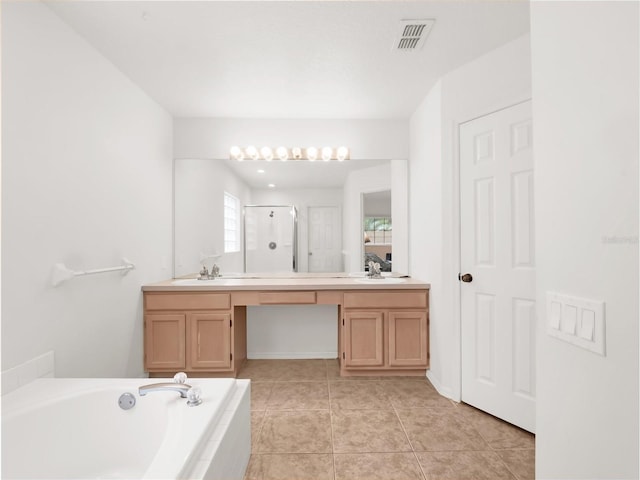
(493, 81)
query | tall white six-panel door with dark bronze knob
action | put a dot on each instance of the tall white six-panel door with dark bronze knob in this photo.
(497, 283)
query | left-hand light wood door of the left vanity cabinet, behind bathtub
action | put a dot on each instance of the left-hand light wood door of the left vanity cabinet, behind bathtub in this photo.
(164, 341)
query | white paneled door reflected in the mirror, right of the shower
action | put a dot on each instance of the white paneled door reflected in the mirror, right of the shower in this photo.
(325, 239)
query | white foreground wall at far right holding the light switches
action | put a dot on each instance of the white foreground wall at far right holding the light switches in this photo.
(585, 112)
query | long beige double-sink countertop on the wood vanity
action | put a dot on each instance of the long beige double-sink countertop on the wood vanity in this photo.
(289, 281)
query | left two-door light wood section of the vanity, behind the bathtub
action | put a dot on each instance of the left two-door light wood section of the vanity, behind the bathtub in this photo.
(192, 332)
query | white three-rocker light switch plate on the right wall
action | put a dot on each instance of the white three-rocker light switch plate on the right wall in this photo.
(579, 321)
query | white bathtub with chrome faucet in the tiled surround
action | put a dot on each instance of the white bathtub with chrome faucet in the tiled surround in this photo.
(74, 428)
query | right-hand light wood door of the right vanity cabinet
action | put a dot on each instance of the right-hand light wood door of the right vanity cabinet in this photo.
(408, 339)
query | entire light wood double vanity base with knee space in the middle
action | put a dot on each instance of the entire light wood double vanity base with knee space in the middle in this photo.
(203, 332)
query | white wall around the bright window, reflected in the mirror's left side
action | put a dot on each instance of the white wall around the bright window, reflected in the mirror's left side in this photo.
(199, 187)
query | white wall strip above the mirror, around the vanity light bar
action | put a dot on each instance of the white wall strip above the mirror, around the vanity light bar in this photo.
(367, 139)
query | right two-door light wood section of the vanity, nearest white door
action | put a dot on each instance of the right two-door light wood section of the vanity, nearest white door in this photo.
(386, 331)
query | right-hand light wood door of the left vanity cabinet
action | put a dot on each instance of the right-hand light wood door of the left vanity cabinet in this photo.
(209, 341)
